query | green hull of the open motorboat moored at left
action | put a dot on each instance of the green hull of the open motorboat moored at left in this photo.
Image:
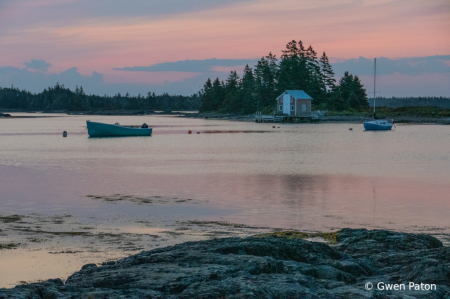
(107, 130)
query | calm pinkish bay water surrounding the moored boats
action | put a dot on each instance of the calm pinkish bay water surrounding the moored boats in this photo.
(299, 176)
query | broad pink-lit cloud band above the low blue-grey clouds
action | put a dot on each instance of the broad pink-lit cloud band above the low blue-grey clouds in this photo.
(344, 29)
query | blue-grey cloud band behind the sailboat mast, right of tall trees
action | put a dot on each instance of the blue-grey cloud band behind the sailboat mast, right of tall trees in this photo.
(386, 66)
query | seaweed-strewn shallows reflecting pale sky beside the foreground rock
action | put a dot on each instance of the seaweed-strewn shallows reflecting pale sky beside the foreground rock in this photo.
(57, 245)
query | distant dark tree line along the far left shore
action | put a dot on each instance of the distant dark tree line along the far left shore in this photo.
(61, 98)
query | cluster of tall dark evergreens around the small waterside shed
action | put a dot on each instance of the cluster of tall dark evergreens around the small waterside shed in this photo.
(299, 68)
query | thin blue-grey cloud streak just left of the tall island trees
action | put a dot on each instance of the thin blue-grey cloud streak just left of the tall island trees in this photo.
(195, 66)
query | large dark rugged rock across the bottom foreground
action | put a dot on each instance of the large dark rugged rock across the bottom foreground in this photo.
(265, 267)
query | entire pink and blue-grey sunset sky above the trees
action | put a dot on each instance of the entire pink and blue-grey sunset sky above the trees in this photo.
(173, 46)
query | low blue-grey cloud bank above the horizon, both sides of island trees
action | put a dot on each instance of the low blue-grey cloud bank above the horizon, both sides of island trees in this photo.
(421, 76)
